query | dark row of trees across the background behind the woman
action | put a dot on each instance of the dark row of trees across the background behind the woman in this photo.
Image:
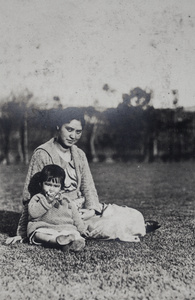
(133, 130)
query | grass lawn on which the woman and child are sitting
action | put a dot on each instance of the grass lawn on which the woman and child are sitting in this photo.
(161, 266)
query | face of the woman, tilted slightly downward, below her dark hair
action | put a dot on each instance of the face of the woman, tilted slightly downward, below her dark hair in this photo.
(70, 133)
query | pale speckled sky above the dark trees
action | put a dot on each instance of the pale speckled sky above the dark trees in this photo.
(71, 48)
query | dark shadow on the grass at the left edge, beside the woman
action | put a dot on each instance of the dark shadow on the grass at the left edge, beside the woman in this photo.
(9, 222)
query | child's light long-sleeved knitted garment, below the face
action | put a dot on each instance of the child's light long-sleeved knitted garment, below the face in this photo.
(61, 218)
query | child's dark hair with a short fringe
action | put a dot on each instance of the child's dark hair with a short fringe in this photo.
(48, 173)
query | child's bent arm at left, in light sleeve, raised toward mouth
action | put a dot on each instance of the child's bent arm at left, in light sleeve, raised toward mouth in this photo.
(38, 206)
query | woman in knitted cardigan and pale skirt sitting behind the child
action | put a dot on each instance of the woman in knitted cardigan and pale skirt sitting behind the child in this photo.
(104, 221)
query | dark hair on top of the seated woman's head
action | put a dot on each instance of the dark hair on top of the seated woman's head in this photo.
(68, 114)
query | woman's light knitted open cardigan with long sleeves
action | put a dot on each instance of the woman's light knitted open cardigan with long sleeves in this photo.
(46, 154)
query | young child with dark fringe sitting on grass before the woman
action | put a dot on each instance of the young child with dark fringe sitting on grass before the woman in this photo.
(53, 220)
